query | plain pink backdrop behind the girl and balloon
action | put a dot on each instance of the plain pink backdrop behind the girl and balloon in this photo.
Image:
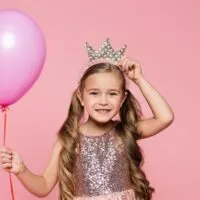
(162, 35)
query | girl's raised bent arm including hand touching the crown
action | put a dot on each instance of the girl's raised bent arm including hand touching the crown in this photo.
(163, 115)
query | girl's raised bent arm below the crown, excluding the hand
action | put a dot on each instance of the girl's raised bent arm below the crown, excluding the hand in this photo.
(163, 114)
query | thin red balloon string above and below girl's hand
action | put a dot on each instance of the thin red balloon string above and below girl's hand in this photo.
(4, 110)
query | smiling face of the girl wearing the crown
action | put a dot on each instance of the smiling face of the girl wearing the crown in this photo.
(102, 96)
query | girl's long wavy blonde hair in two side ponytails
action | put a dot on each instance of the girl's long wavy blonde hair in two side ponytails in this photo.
(130, 112)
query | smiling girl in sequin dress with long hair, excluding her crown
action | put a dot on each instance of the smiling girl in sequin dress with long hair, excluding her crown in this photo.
(99, 159)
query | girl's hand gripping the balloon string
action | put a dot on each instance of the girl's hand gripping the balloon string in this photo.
(11, 161)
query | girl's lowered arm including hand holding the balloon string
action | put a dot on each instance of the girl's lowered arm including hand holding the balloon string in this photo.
(39, 185)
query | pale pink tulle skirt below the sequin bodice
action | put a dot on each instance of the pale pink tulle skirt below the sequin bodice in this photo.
(124, 195)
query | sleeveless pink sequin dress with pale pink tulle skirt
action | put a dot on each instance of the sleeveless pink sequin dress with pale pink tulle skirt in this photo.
(102, 171)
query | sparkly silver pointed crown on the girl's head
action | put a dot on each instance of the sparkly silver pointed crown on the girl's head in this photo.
(105, 54)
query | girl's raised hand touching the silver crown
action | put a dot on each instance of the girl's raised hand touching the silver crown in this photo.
(131, 68)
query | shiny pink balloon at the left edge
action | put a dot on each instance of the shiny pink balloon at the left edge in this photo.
(22, 55)
